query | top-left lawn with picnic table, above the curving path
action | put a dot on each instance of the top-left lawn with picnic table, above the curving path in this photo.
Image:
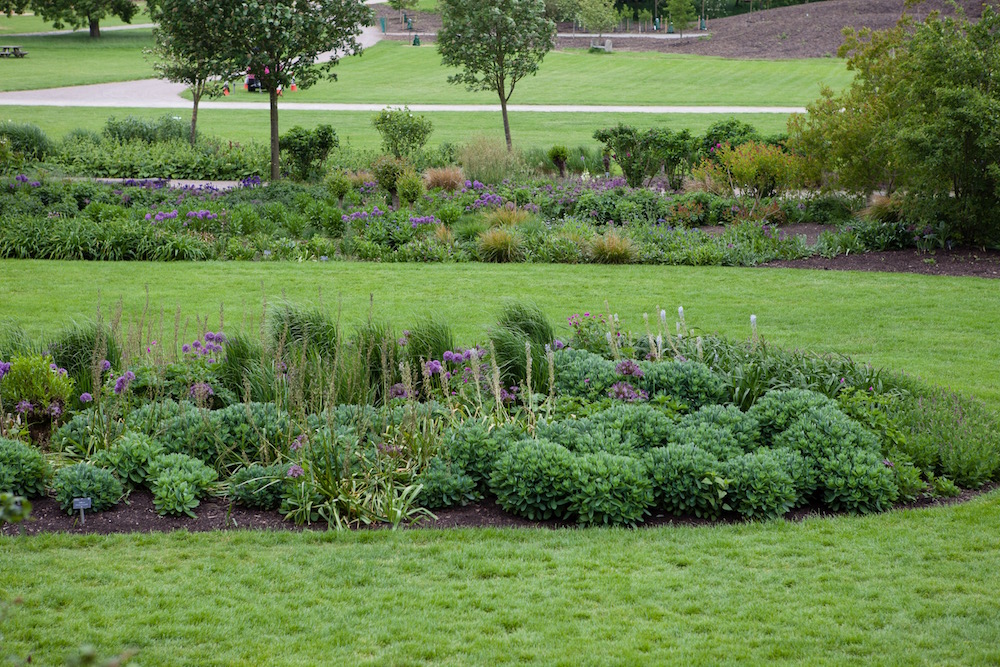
(76, 59)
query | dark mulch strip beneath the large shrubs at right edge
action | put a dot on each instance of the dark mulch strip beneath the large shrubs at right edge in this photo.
(963, 262)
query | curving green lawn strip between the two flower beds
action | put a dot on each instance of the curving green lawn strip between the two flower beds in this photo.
(939, 328)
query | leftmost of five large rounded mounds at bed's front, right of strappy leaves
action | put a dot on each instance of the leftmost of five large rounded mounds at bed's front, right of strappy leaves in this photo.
(535, 479)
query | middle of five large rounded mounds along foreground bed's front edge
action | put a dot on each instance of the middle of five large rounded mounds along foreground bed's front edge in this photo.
(687, 480)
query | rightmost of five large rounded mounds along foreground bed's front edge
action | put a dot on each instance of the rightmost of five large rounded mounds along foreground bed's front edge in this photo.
(857, 481)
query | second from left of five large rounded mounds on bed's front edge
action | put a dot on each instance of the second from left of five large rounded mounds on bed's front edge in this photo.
(610, 490)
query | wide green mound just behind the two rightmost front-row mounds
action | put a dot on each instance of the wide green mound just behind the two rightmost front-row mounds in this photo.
(820, 433)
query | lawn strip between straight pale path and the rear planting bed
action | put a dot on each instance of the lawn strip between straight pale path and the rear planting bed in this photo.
(355, 129)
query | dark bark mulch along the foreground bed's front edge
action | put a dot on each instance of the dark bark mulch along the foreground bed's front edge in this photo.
(138, 515)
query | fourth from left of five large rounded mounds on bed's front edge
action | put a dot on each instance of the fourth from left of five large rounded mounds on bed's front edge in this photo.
(760, 487)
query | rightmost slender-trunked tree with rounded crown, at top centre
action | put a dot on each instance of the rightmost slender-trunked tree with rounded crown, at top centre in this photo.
(496, 43)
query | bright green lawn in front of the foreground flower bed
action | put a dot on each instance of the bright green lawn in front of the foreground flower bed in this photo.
(902, 588)
